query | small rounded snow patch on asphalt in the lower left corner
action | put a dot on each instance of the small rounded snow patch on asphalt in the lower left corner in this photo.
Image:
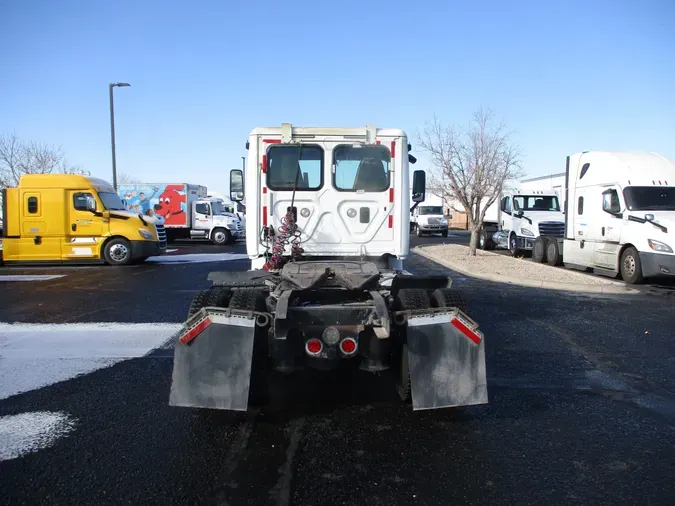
(29, 432)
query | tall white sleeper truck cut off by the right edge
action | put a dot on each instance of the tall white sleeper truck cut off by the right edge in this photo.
(621, 215)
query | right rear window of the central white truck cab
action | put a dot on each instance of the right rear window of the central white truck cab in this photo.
(362, 168)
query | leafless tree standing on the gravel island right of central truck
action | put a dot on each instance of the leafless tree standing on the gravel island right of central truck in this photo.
(472, 167)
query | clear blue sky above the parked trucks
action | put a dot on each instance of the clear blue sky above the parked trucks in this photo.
(567, 76)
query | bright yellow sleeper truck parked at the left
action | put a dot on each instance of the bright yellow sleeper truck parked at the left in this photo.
(63, 218)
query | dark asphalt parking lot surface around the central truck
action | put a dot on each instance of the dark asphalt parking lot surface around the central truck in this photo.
(582, 405)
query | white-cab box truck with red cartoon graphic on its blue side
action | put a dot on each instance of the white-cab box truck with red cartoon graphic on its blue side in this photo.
(185, 209)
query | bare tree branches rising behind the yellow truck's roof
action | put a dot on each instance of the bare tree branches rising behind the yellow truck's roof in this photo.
(18, 157)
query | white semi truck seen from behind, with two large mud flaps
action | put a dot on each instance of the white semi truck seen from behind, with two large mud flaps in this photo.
(328, 216)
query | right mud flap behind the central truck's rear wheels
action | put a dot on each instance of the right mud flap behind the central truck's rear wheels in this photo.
(446, 358)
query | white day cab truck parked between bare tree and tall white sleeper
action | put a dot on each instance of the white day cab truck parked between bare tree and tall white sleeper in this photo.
(522, 221)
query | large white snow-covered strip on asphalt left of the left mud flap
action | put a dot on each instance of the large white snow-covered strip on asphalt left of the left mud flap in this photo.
(37, 355)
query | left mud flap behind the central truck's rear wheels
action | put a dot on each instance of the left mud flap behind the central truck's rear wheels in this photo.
(212, 361)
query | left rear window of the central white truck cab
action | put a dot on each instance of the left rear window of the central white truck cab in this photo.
(296, 166)
